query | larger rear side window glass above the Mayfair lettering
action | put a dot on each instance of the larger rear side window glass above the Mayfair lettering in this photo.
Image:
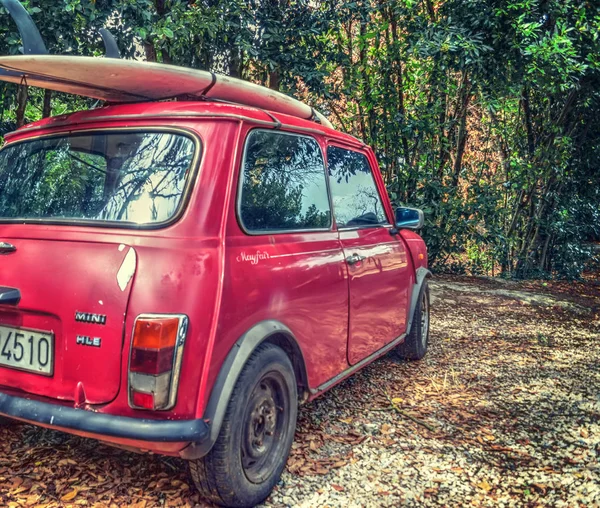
(284, 186)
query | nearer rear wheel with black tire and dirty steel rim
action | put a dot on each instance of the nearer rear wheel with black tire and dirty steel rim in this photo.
(254, 442)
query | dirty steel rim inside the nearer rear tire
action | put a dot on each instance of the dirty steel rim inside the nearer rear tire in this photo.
(265, 427)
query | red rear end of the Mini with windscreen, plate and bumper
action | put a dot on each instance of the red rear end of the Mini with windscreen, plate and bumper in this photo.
(109, 271)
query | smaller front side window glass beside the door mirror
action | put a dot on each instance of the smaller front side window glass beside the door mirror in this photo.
(356, 200)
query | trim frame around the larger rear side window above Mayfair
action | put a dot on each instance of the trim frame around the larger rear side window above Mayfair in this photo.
(238, 201)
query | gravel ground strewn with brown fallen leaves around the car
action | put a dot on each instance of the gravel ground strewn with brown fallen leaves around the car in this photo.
(505, 410)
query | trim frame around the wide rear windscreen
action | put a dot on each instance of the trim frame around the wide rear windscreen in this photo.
(185, 196)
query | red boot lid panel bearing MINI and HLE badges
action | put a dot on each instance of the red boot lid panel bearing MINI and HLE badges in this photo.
(58, 279)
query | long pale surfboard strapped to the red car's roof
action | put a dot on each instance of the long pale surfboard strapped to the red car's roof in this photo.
(119, 81)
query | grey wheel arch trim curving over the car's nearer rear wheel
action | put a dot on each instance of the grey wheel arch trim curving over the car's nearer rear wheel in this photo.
(269, 331)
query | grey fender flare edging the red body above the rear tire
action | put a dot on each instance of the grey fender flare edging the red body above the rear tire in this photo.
(229, 373)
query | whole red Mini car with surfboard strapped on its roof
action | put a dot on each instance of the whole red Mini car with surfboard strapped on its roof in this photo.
(176, 277)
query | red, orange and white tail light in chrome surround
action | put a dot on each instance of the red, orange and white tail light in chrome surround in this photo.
(155, 360)
